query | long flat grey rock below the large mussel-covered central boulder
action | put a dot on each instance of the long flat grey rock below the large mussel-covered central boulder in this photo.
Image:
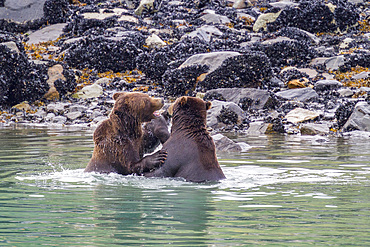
(260, 98)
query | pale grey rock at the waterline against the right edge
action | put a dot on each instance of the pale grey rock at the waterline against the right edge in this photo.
(359, 119)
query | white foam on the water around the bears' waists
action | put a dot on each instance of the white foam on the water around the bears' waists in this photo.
(240, 177)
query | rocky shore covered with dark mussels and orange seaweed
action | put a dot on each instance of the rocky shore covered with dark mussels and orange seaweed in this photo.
(294, 67)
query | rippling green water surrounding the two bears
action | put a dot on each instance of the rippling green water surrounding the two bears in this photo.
(286, 191)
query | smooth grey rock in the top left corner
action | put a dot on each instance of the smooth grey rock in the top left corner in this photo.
(22, 10)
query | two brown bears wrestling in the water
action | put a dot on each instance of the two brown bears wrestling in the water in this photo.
(121, 141)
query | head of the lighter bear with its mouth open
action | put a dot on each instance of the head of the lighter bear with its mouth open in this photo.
(138, 105)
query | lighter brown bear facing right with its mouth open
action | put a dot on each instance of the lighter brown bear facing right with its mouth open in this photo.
(119, 140)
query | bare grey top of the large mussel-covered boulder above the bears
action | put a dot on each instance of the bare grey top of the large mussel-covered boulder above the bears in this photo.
(212, 59)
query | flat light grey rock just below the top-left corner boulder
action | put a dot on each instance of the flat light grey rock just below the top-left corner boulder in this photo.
(48, 33)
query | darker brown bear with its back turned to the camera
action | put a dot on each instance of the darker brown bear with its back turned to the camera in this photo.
(191, 152)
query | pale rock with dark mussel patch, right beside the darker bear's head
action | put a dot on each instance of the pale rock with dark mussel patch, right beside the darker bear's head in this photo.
(215, 111)
